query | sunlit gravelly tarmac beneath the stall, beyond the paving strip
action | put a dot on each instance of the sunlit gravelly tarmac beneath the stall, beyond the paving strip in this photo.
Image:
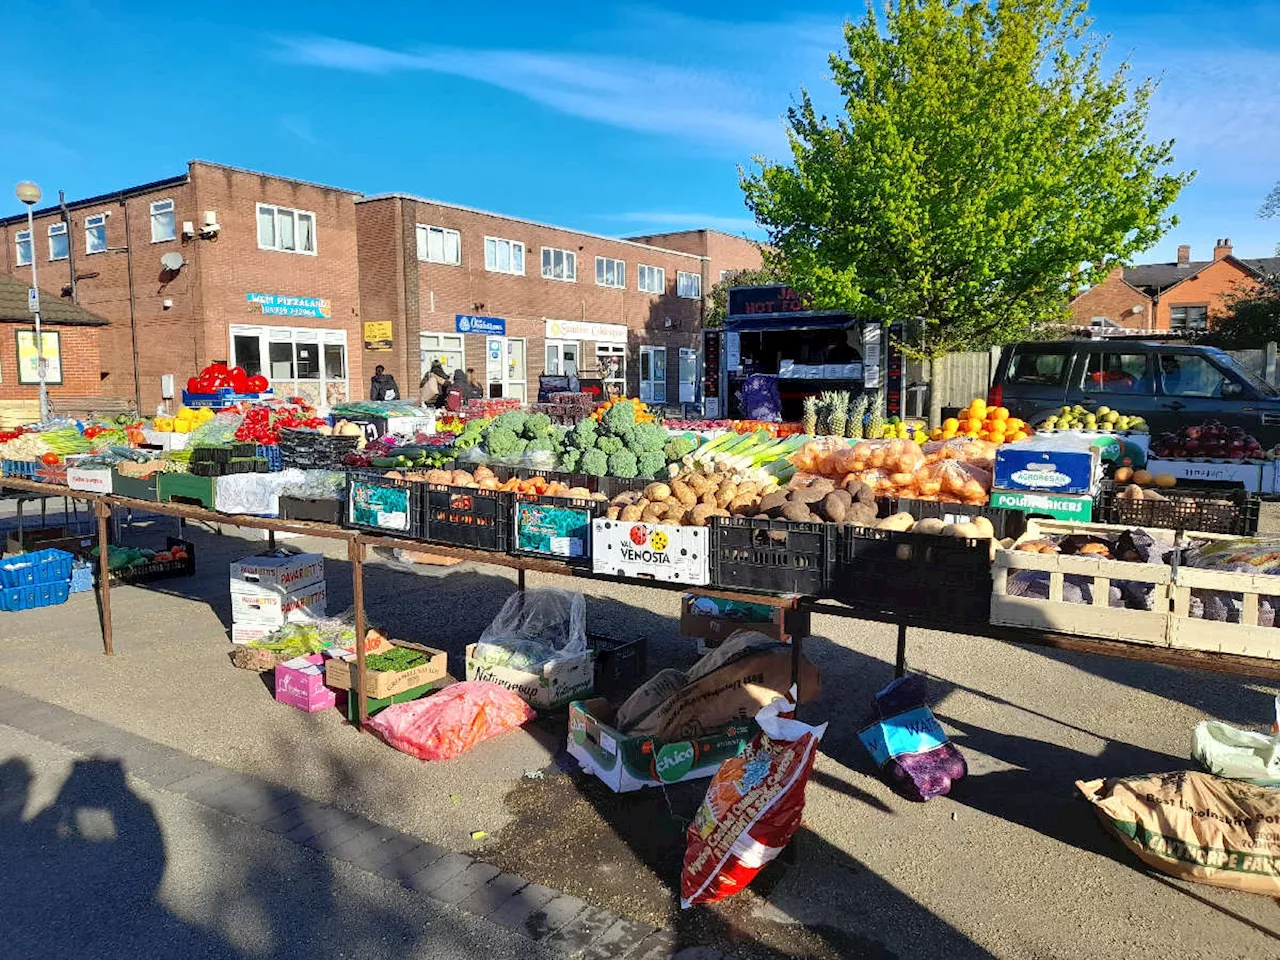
(1013, 866)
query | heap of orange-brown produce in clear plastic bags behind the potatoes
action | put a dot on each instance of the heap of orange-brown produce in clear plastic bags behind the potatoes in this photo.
(957, 470)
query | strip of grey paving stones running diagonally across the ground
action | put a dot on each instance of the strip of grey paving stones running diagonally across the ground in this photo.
(561, 922)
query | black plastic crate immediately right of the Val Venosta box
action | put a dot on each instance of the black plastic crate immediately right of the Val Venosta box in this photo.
(772, 556)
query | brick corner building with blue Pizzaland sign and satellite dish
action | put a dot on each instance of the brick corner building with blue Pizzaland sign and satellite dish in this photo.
(263, 276)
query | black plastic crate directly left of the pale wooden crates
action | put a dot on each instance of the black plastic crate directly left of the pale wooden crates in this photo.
(921, 575)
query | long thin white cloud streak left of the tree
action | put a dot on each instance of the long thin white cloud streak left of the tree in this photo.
(684, 102)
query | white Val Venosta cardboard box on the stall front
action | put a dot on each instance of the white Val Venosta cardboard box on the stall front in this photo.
(655, 551)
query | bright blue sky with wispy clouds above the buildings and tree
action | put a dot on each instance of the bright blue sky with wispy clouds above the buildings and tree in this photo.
(607, 117)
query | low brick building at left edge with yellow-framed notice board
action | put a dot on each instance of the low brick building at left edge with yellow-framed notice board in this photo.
(72, 360)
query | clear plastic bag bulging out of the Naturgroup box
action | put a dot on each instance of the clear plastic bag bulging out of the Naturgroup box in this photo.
(534, 628)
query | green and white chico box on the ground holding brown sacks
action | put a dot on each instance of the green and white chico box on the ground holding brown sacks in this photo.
(630, 764)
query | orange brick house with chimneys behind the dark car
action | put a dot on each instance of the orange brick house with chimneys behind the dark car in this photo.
(1185, 295)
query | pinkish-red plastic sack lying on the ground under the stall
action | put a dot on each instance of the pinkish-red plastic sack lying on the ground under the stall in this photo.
(451, 723)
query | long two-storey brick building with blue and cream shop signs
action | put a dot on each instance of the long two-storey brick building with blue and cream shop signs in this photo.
(513, 299)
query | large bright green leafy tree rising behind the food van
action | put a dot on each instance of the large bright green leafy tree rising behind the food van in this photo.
(985, 167)
